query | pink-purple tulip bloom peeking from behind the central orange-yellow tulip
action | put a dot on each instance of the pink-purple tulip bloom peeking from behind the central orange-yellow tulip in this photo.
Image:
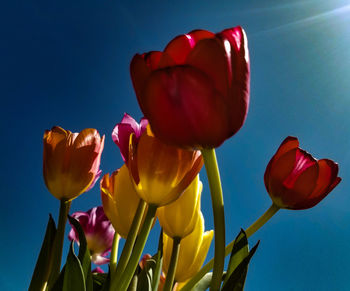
(122, 131)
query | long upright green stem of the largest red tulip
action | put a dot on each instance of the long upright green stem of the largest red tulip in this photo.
(213, 174)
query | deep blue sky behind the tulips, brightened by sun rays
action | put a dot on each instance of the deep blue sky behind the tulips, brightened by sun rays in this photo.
(67, 63)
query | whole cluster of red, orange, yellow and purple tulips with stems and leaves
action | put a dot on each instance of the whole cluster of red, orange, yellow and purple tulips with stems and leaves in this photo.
(194, 95)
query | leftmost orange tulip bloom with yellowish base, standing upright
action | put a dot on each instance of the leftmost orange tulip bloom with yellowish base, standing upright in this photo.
(71, 161)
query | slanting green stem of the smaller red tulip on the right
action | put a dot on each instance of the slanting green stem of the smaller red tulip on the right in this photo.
(249, 232)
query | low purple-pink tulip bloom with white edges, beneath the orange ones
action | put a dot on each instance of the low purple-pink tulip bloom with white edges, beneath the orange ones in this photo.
(98, 231)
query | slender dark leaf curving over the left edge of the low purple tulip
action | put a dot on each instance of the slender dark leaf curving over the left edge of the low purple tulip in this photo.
(84, 253)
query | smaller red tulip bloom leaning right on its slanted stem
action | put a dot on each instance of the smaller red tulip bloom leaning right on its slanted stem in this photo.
(296, 180)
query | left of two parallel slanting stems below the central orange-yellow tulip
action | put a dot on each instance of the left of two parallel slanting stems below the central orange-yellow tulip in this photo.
(130, 241)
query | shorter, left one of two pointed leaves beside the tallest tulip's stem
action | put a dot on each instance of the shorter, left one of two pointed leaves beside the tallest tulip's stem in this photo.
(239, 251)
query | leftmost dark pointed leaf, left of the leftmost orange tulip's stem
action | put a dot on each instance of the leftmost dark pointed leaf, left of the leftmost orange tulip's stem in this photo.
(43, 265)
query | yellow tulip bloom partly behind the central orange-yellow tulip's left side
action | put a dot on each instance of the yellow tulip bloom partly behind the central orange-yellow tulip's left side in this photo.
(119, 200)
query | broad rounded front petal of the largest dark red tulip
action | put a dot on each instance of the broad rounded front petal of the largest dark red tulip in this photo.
(183, 96)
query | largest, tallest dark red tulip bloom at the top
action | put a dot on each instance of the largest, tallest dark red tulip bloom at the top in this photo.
(196, 92)
